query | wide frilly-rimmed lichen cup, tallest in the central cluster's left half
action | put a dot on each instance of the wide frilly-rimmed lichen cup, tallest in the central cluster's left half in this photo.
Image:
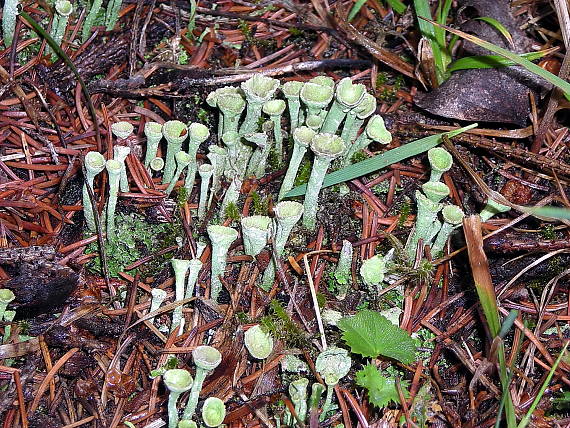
(257, 89)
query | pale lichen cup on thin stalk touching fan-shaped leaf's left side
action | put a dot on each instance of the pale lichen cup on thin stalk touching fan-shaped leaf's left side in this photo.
(332, 364)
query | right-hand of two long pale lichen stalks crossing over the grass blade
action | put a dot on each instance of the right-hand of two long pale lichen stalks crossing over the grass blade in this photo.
(326, 148)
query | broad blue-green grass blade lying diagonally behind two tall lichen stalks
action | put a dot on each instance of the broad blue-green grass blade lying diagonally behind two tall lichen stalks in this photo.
(381, 161)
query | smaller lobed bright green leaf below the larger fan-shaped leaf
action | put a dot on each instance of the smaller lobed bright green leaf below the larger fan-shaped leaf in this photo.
(381, 390)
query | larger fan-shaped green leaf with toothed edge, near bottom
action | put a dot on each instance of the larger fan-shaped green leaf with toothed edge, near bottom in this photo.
(370, 334)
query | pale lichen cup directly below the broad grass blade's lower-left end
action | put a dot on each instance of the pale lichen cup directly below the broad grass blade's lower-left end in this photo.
(287, 214)
